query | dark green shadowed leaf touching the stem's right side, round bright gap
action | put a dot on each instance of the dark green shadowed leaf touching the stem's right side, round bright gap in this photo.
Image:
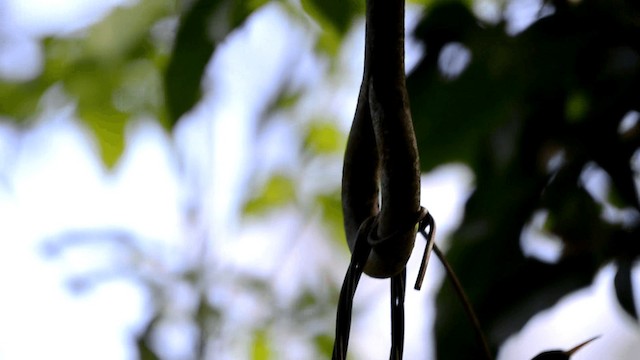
(453, 118)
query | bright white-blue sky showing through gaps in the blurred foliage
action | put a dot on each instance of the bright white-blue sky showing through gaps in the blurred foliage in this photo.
(50, 182)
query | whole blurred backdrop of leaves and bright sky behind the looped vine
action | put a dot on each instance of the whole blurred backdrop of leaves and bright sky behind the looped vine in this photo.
(170, 172)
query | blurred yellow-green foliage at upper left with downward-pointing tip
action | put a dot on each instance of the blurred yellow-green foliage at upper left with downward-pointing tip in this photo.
(112, 75)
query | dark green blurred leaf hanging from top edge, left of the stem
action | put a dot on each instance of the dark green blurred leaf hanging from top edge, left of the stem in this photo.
(204, 25)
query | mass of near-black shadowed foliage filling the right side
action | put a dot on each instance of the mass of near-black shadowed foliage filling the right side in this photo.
(557, 90)
